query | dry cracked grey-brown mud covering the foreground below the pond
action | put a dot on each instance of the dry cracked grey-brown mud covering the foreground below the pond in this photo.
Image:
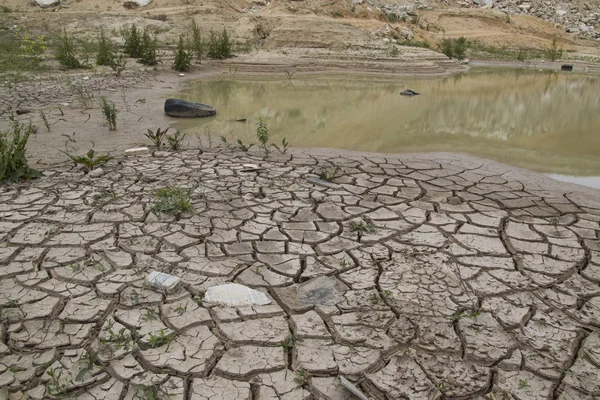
(414, 276)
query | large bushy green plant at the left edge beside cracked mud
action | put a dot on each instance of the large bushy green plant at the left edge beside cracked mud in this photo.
(13, 162)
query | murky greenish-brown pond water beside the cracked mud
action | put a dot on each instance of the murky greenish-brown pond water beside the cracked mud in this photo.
(544, 121)
